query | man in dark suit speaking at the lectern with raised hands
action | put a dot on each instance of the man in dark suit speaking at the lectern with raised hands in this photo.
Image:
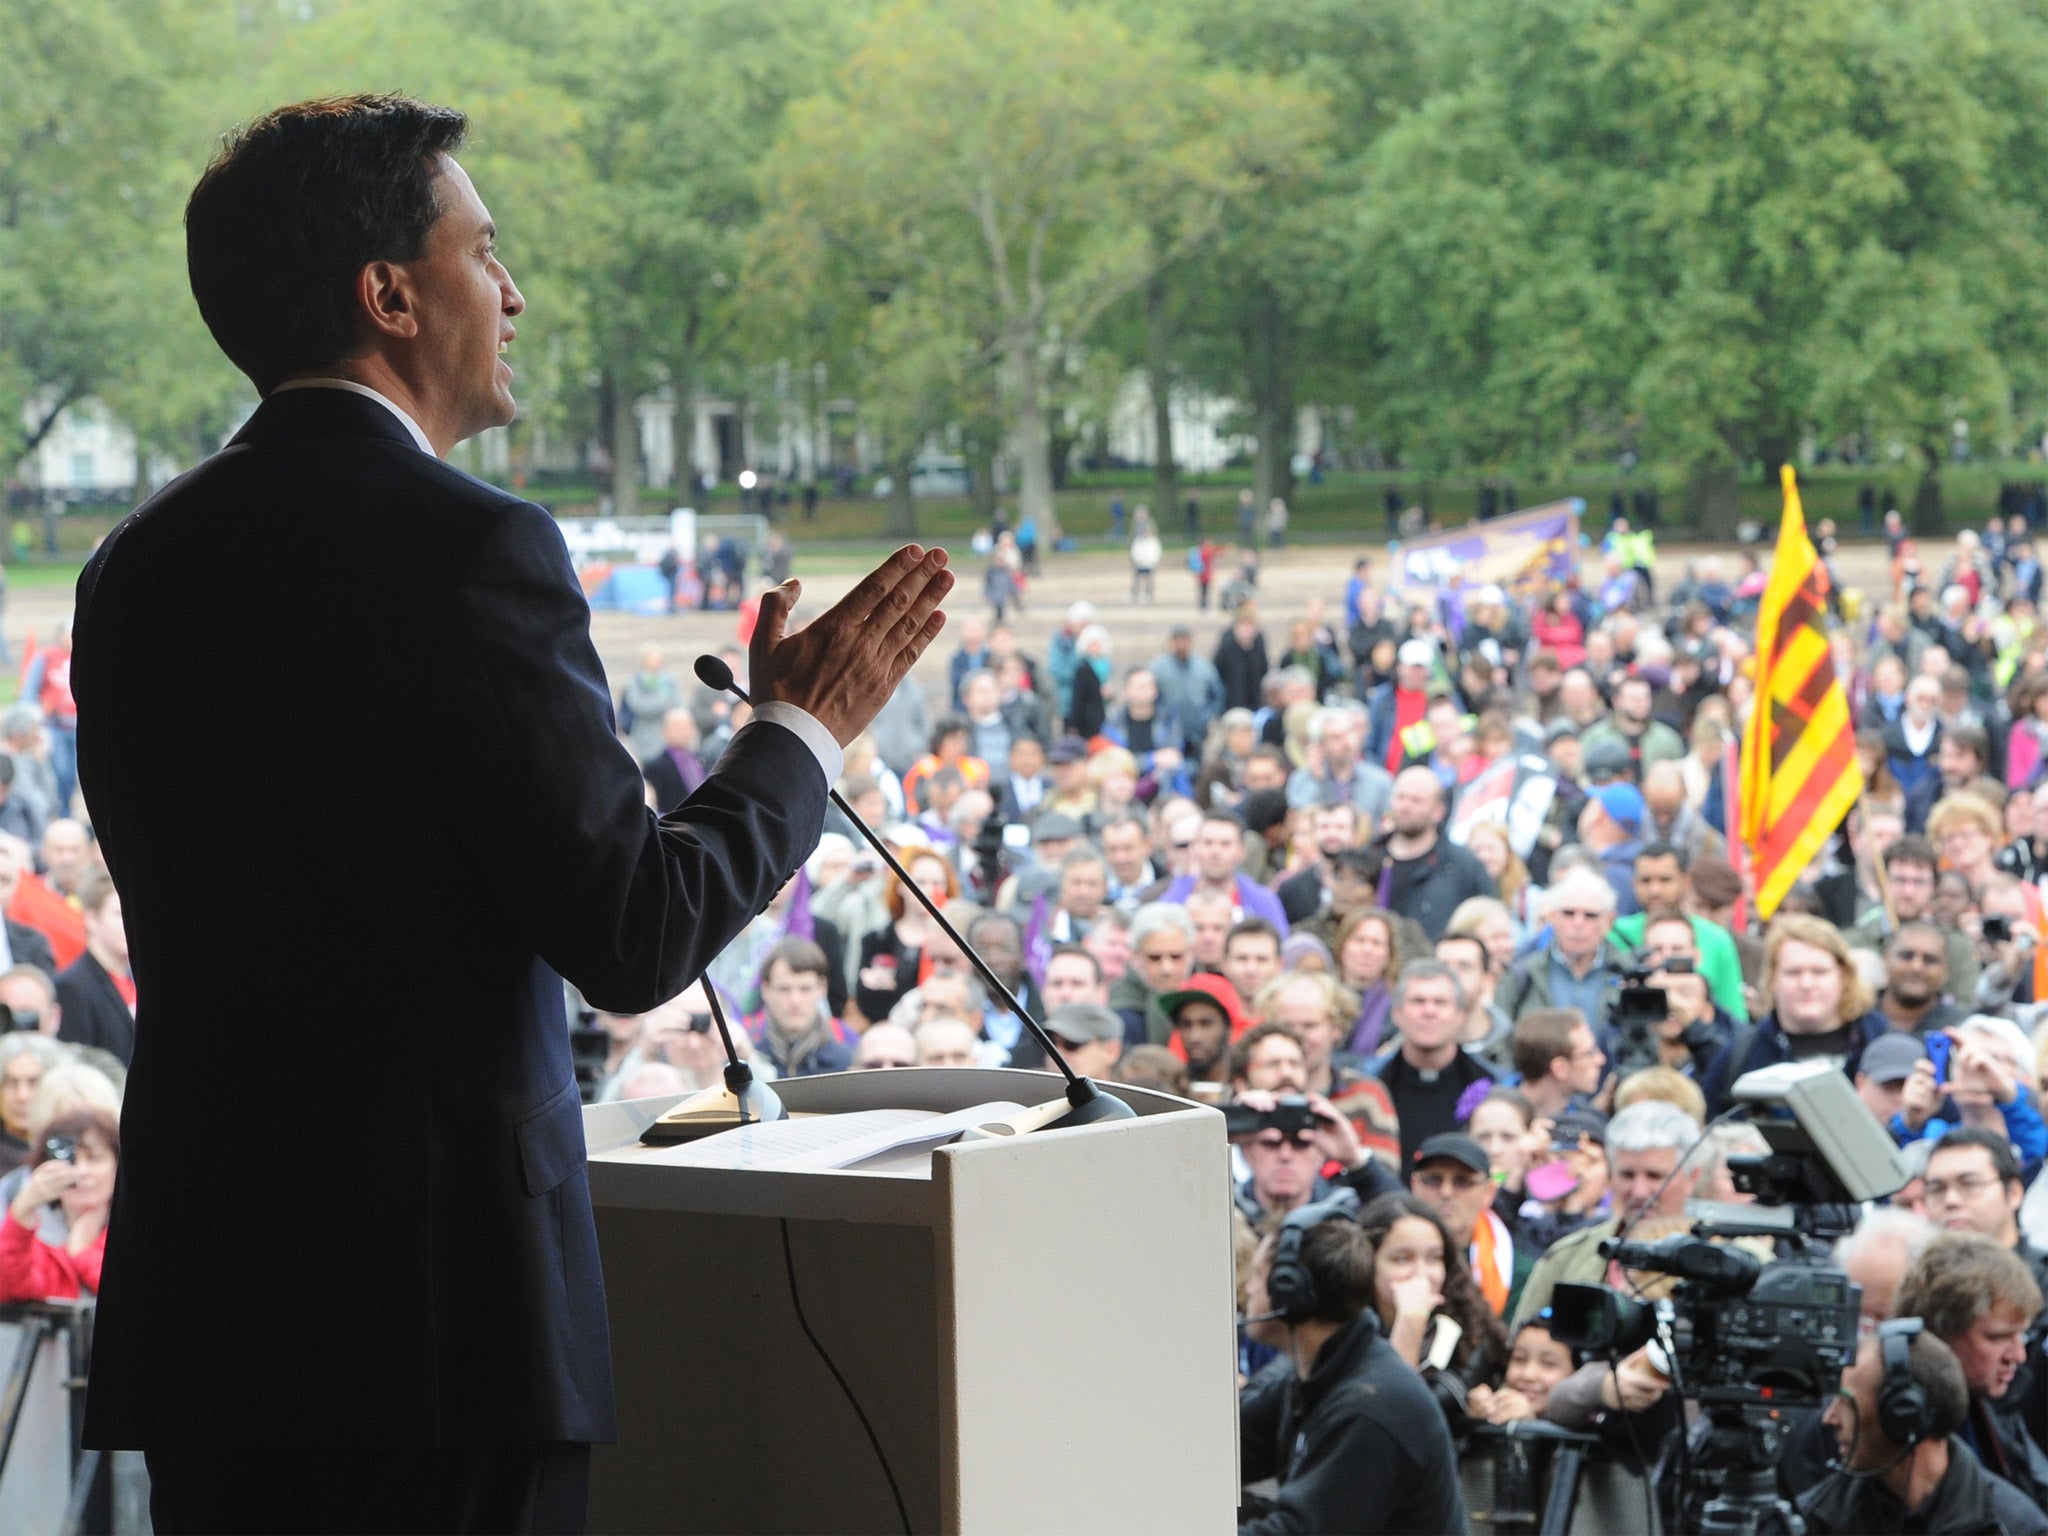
(357, 884)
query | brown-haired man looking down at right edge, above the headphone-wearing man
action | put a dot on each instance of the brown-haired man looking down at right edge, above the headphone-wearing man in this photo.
(1979, 1299)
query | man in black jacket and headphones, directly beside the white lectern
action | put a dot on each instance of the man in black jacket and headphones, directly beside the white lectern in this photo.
(1338, 1420)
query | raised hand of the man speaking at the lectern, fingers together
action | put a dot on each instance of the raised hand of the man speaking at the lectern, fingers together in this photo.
(843, 667)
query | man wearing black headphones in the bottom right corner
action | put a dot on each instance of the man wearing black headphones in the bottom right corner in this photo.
(1902, 1463)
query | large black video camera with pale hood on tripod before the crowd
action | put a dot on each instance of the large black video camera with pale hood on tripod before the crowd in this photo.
(1744, 1338)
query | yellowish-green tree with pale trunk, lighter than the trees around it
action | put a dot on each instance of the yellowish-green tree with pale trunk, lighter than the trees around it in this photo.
(1005, 163)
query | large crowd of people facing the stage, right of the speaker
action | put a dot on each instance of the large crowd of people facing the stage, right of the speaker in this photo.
(1377, 876)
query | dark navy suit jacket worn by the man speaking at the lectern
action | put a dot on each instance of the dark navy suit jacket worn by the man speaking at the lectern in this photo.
(351, 902)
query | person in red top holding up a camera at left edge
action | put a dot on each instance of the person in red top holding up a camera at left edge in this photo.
(75, 1170)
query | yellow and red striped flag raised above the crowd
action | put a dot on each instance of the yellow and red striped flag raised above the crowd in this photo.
(1799, 755)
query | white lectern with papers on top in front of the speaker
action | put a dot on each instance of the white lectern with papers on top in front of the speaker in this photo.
(1039, 1330)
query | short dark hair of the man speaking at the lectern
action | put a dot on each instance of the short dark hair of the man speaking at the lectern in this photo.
(292, 212)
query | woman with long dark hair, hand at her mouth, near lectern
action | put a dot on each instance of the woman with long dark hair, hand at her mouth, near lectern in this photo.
(1418, 1279)
